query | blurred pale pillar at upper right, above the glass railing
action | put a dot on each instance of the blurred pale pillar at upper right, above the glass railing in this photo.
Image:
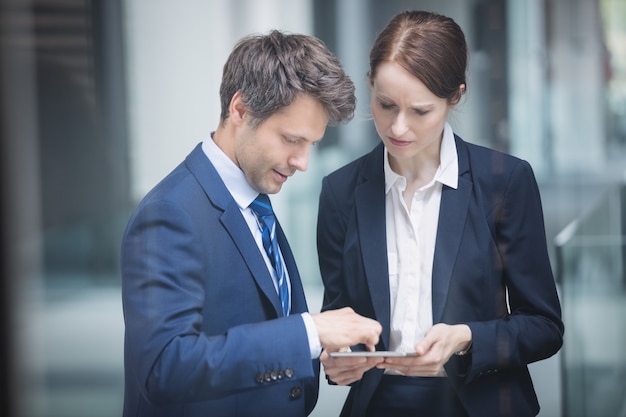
(577, 87)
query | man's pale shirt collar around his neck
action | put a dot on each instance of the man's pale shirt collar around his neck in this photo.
(233, 177)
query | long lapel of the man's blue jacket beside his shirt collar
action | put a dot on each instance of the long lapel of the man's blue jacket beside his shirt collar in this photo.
(234, 223)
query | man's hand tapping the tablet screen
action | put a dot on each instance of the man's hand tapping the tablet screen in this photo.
(344, 327)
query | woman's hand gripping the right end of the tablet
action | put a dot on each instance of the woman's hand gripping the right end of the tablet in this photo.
(433, 352)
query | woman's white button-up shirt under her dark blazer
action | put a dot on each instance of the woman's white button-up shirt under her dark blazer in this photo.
(411, 236)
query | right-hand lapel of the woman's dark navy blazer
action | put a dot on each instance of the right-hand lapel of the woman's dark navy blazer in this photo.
(452, 216)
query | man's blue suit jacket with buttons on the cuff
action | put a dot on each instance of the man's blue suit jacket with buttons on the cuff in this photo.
(203, 333)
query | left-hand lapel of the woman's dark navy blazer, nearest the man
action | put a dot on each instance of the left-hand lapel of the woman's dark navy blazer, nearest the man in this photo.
(370, 209)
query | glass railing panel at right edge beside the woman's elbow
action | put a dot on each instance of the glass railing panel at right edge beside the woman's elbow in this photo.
(590, 255)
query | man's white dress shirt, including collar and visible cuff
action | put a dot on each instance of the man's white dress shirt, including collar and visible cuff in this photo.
(243, 194)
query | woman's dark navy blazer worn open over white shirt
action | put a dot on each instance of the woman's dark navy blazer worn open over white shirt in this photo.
(491, 239)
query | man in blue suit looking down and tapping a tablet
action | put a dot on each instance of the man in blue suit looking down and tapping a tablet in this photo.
(214, 325)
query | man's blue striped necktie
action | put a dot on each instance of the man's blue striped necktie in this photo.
(267, 223)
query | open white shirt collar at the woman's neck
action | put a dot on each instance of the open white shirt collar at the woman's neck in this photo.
(447, 173)
